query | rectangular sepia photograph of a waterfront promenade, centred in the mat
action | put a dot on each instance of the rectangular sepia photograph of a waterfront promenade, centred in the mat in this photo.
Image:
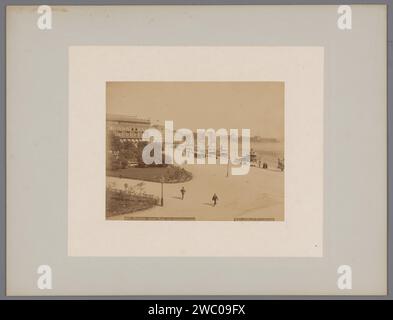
(197, 151)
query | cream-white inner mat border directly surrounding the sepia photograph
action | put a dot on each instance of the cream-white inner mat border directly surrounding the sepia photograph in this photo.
(301, 232)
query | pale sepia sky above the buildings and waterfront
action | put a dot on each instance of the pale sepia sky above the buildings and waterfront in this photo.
(258, 106)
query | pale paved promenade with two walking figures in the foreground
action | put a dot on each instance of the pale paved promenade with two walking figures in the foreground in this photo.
(260, 194)
